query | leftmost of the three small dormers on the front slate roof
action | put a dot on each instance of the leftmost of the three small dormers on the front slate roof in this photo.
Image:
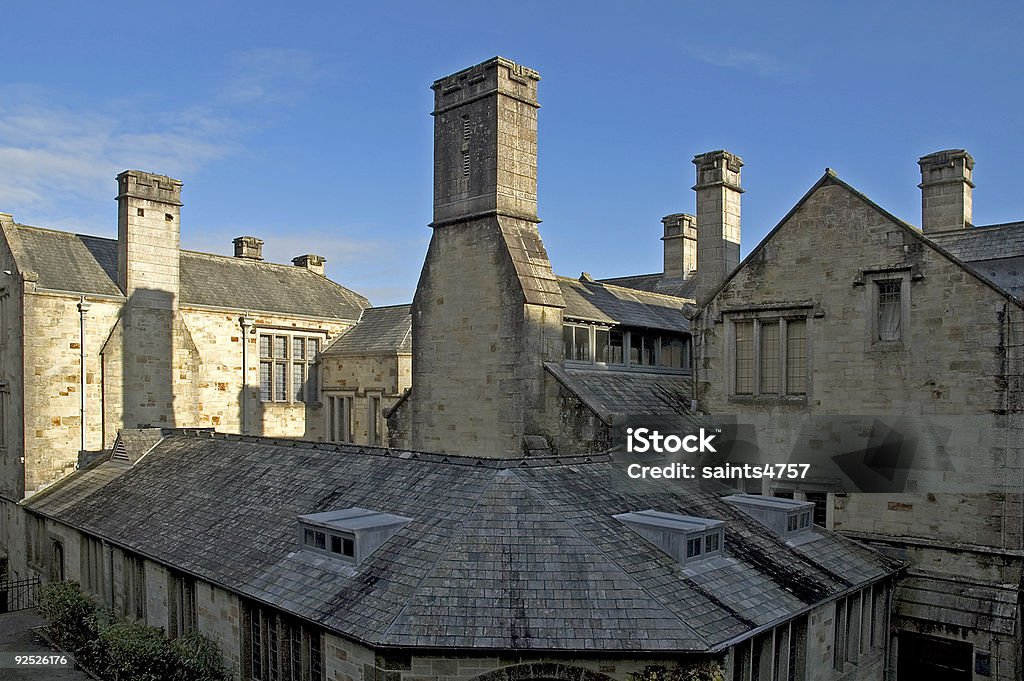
(351, 534)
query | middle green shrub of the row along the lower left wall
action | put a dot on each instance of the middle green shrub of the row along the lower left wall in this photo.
(134, 652)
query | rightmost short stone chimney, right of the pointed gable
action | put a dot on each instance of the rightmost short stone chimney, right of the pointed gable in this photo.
(946, 191)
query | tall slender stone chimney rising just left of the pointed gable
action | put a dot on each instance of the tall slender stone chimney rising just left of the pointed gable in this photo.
(718, 220)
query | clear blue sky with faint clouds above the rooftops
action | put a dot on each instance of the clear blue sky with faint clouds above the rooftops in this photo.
(309, 125)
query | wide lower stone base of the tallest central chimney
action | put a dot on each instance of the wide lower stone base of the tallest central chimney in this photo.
(479, 346)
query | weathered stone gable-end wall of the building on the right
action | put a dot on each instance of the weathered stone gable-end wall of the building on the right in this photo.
(955, 369)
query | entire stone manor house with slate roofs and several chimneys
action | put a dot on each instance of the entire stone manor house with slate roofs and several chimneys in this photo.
(343, 492)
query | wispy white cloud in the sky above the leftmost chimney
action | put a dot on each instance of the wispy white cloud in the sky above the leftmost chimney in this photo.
(56, 158)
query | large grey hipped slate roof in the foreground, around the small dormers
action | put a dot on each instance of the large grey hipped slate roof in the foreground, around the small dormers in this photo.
(521, 555)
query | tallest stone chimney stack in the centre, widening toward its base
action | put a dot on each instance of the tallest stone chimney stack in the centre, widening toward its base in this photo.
(488, 309)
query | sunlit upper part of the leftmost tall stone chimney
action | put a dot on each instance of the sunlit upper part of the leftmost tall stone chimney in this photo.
(149, 238)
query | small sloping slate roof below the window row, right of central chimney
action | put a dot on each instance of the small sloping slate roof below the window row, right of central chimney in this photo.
(616, 396)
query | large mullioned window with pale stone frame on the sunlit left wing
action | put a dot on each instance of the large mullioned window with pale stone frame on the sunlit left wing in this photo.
(311, 366)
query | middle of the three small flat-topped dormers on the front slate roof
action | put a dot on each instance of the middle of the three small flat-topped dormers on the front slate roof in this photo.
(686, 538)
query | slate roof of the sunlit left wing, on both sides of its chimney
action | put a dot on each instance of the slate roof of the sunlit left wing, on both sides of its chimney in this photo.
(89, 265)
